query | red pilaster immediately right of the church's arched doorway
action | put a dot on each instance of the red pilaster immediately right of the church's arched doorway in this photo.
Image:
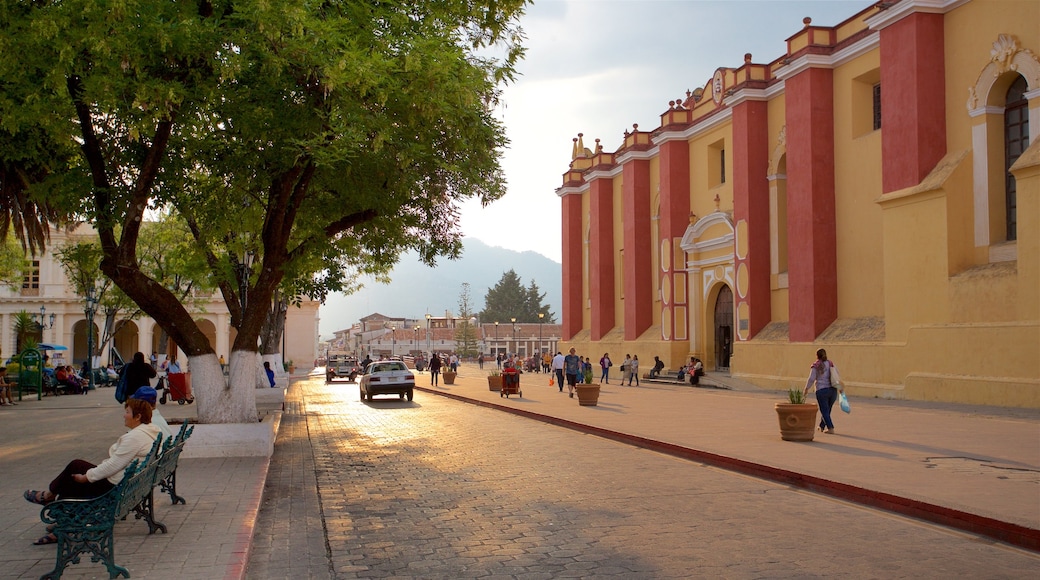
(751, 204)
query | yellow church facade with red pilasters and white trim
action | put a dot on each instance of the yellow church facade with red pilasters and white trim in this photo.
(874, 192)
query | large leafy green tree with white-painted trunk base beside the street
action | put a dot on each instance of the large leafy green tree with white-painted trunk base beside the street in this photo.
(319, 139)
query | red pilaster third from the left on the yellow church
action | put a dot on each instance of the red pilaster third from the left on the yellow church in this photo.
(638, 261)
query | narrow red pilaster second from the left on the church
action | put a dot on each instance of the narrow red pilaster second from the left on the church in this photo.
(602, 256)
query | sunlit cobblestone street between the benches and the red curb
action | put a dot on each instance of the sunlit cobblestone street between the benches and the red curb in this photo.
(439, 489)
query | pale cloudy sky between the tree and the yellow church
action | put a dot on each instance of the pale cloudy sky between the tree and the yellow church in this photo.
(597, 67)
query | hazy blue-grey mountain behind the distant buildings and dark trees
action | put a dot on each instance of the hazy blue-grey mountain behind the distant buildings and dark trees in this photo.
(418, 289)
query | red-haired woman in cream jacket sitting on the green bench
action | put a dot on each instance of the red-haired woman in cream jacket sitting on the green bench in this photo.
(83, 480)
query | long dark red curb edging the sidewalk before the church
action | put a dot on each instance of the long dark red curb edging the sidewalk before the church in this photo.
(981, 525)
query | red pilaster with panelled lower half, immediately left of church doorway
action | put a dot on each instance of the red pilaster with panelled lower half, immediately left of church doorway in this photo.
(673, 220)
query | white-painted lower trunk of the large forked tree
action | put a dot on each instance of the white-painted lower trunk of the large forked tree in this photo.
(231, 402)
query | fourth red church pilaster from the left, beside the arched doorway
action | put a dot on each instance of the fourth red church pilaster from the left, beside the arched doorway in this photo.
(674, 160)
